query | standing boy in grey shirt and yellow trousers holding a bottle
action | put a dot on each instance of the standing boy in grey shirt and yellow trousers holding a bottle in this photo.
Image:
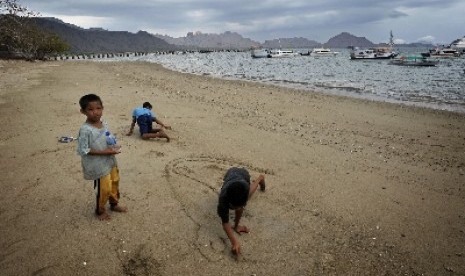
(97, 148)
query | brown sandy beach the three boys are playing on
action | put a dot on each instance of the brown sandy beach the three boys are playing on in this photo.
(354, 187)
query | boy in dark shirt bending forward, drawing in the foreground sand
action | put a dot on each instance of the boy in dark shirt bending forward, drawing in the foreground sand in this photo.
(234, 195)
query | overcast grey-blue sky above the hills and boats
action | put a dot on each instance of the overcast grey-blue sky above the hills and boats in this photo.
(435, 21)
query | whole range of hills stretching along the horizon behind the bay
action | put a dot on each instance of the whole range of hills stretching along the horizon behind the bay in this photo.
(99, 40)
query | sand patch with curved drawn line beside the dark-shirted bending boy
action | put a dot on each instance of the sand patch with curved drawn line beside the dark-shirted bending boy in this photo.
(199, 202)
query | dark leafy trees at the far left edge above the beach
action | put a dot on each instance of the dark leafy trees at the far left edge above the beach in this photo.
(21, 38)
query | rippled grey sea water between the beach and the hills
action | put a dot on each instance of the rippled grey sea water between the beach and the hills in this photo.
(441, 87)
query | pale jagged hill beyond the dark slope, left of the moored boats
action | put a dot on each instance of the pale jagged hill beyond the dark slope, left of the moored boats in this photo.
(198, 40)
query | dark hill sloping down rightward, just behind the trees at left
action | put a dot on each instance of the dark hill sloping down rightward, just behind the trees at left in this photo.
(99, 40)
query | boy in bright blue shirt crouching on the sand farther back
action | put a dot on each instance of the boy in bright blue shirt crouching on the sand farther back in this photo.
(144, 117)
